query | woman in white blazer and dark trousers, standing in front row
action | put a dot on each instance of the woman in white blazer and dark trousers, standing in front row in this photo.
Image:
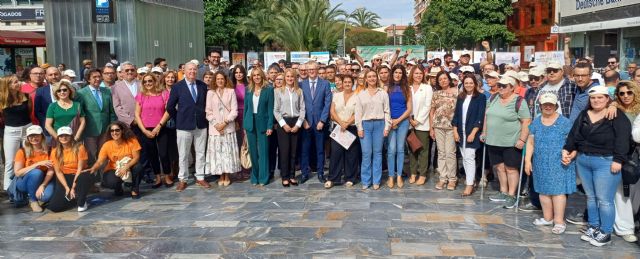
(421, 97)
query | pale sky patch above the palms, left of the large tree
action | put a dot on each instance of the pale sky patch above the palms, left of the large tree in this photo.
(397, 11)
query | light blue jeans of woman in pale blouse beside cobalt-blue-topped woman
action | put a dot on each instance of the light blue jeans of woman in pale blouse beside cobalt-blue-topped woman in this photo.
(371, 167)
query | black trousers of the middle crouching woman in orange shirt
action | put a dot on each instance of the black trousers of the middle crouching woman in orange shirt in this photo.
(59, 203)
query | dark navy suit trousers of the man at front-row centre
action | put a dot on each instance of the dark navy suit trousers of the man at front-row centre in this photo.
(318, 138)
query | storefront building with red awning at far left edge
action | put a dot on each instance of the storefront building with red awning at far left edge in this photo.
(22, 40)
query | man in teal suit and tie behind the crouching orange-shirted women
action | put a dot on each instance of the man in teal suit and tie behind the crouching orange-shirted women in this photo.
(99, 113)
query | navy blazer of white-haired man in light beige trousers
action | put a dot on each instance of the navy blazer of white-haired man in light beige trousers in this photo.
(189, 115)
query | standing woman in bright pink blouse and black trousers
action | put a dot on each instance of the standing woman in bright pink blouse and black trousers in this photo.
(151, 116)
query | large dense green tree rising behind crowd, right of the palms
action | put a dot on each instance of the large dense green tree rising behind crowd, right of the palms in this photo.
(464, 23)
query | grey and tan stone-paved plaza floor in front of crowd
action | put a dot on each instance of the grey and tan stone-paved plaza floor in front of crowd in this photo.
(243, 221)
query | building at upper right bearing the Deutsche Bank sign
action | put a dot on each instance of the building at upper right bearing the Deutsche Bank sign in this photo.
(602, 28)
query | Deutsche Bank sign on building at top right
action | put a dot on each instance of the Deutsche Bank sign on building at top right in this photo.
(575, 7)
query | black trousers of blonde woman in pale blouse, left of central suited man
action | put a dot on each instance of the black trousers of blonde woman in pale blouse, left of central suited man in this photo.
(287, 145)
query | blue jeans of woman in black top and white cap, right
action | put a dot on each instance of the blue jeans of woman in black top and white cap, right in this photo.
(600, 186)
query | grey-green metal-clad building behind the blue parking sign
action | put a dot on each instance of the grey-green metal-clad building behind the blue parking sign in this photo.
(143, 30)
